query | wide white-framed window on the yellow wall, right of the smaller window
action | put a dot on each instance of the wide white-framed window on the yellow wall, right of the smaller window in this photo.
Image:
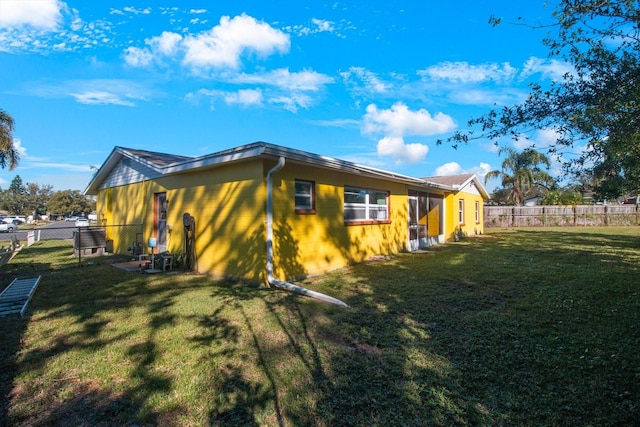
(361, 204)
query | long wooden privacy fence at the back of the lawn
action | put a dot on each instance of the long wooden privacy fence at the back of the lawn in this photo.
(548, 216)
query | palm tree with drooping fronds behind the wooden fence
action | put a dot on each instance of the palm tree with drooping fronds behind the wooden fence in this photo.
(521, 172)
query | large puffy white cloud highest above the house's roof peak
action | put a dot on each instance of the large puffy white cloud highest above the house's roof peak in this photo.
(224, 44)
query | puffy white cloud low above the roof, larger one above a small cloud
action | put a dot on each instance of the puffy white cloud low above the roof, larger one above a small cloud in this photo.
(400, 121)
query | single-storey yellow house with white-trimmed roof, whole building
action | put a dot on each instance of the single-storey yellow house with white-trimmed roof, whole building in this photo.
(313, 213)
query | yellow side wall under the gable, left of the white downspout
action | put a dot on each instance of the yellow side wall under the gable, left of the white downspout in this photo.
(228, 204)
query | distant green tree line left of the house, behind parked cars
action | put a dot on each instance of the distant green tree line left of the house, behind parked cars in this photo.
(33, 199)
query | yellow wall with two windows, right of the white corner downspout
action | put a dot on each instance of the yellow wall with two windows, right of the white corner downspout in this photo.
(308, 244)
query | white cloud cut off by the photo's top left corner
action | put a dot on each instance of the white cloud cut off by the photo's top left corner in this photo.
(40, 14)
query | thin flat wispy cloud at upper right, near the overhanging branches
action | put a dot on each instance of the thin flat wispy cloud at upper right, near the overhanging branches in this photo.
(463, 72)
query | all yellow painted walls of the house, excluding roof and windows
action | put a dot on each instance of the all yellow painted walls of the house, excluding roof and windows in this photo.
(229, 205)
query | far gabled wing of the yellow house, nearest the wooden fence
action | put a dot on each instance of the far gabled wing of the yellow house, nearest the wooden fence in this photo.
(465, 204)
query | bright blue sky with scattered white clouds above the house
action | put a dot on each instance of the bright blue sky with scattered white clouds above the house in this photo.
(374, 82)
